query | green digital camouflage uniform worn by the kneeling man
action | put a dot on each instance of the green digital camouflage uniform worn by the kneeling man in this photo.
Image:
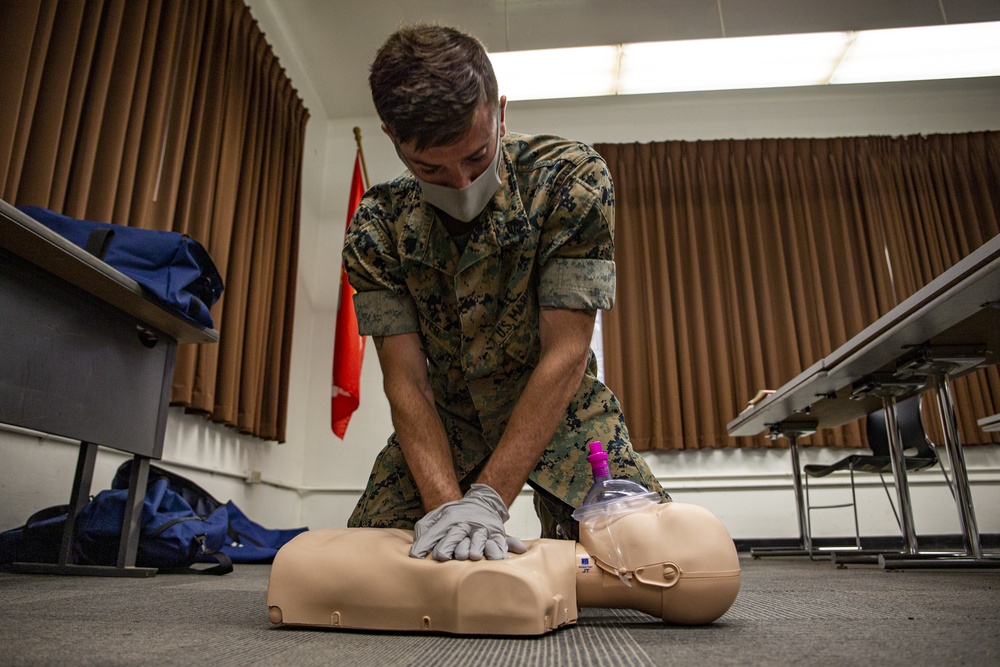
(545, 240)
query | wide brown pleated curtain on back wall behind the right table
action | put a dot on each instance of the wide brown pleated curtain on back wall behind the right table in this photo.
(741, 263)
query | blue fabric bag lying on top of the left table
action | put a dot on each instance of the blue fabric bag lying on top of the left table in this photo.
(173, 267)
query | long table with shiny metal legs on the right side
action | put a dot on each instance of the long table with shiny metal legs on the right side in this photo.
(955, 311)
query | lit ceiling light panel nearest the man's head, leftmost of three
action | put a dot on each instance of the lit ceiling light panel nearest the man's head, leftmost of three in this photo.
(550, 73)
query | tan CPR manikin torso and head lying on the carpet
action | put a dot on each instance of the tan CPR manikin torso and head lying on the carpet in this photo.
(680, 561)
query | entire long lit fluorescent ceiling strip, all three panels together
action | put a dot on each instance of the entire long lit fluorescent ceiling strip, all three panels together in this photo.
(770, 61)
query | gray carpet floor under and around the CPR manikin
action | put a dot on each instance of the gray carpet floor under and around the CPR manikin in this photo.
(789, 611)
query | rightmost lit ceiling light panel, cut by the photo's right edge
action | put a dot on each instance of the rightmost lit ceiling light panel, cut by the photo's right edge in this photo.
(915, 54)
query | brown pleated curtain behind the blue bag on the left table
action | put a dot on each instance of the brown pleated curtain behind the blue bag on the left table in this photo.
(171, 115)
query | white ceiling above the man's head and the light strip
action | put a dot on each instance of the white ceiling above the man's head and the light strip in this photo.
(334, 40)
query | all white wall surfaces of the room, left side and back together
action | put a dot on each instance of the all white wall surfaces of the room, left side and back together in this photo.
(314, 478)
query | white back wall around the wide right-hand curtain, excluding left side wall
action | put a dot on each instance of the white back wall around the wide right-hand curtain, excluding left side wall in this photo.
(749, 489)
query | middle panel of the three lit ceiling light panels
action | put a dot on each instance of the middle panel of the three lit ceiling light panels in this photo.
(738, 62)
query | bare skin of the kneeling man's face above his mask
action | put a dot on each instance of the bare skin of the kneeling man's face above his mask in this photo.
(458, 164)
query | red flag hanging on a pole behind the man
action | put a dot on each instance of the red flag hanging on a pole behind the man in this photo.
(348, 346)
